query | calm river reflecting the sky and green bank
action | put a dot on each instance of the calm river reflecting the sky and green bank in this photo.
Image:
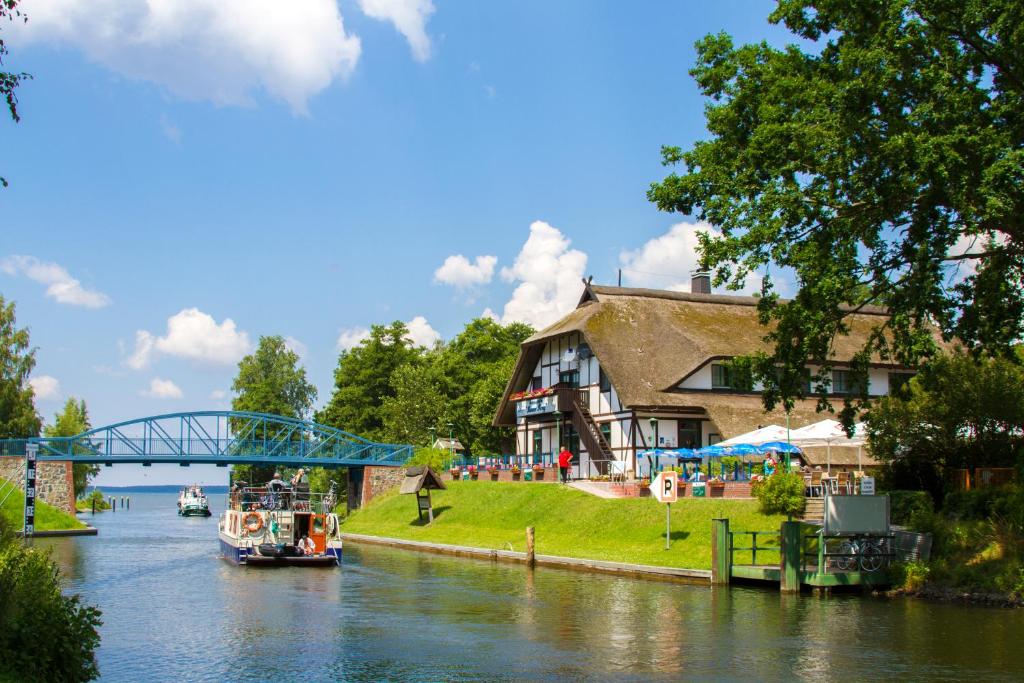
(174, 611)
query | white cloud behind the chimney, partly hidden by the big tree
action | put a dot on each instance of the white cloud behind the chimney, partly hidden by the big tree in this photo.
(666, 263)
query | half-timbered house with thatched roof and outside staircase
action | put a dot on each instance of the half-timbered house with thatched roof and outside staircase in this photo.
(632, 356)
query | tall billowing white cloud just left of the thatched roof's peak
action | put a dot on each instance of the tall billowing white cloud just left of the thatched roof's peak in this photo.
(549, 275)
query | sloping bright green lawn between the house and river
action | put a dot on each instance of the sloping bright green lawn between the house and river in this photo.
(568, 523)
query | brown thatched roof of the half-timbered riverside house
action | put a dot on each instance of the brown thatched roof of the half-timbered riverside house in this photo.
(648, 341)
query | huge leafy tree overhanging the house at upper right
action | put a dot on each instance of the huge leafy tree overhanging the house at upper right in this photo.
(872, 166)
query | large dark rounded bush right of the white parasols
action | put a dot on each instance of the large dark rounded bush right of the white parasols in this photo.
(958, 412)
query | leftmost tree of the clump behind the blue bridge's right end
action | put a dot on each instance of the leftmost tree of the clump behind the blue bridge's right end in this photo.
(363, 380)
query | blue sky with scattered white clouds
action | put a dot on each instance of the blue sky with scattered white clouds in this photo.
(191, 176)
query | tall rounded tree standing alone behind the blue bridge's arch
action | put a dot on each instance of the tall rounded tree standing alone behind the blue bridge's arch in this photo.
(271, 380)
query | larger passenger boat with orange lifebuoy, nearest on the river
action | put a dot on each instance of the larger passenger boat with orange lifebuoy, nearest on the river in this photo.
(263, 527)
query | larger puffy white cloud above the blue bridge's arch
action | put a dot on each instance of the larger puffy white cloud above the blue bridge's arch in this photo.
(195, 335)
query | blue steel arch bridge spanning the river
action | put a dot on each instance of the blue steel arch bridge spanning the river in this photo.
(218, 438)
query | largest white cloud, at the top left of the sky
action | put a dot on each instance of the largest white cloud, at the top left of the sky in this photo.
(218, 51)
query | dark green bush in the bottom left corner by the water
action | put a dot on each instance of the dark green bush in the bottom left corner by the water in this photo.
(45, 635)
